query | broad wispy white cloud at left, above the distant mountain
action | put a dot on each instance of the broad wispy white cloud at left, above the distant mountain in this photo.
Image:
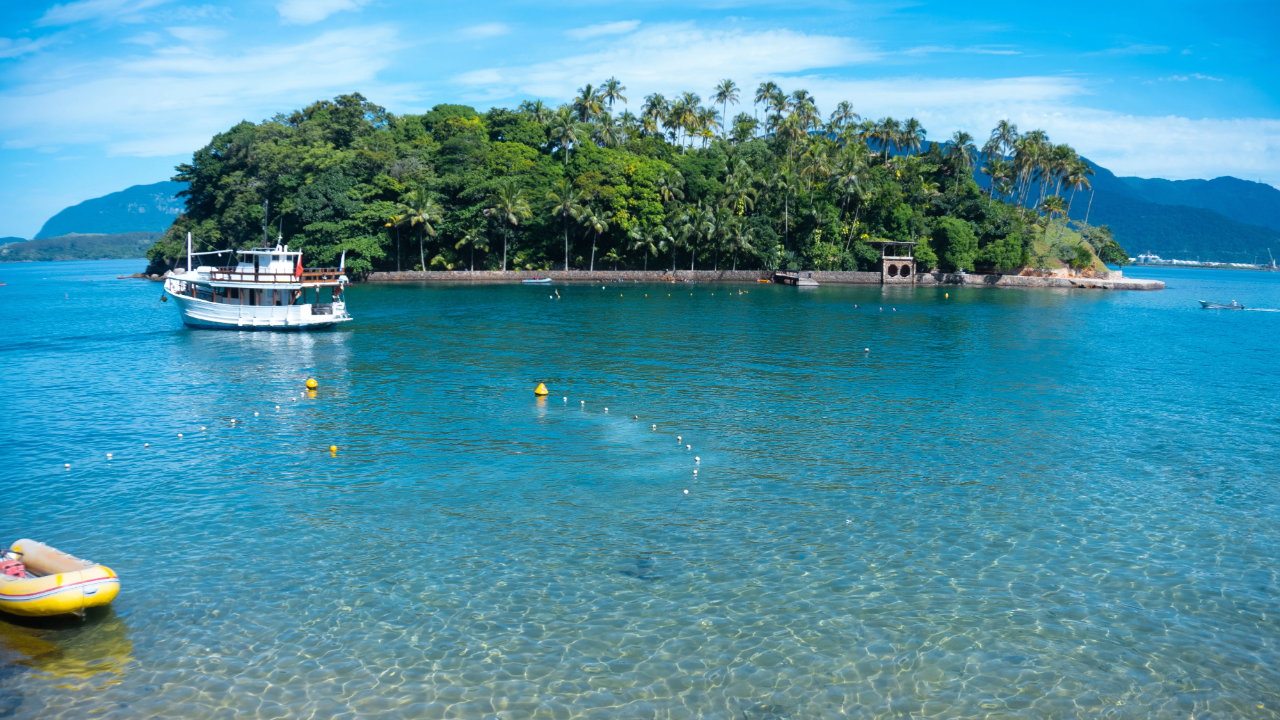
(175, 99)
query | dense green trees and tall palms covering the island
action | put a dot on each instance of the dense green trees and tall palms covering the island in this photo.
(674, 186)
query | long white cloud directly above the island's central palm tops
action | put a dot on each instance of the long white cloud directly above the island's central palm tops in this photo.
(670, 58)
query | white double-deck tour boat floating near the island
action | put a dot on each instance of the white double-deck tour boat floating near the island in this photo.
(268, 289)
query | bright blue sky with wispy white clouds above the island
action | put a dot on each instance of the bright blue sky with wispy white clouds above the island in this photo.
(99, 95)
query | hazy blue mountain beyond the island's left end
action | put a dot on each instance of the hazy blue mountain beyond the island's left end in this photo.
(143, 208)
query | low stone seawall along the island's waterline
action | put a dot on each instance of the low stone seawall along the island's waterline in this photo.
(824, 277)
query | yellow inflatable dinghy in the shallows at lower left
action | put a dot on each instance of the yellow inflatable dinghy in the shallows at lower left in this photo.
(53, 582)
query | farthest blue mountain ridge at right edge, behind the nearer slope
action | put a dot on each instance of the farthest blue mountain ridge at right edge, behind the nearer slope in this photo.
(1245, 202)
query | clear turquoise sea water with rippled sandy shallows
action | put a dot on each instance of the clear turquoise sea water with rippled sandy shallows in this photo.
(1020, 504)
